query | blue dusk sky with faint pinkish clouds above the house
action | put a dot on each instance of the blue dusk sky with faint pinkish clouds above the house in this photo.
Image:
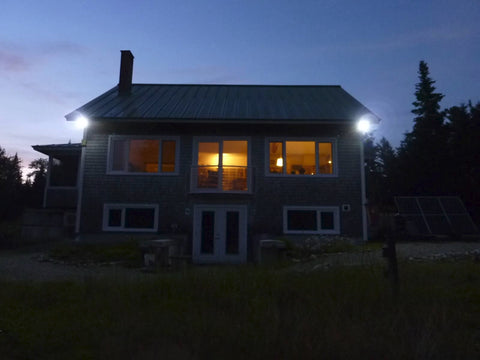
(57, 55)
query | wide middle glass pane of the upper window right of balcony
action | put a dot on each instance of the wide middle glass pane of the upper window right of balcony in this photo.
(300, 157)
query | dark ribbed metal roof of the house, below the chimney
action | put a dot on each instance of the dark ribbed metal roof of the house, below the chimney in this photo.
(226, 103)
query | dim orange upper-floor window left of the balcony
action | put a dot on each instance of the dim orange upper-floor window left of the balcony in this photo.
(153, 155)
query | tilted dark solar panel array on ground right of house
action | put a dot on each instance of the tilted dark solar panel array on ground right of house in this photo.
(436, 215)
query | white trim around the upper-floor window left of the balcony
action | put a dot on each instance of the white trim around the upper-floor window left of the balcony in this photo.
(140, 137)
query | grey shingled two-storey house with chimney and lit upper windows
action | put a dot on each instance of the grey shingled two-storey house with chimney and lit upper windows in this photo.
(223, 164)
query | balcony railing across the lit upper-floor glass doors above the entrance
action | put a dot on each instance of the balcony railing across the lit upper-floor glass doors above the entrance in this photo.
(221, 179)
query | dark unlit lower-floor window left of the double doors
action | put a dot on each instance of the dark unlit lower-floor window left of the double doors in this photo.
(131, 217)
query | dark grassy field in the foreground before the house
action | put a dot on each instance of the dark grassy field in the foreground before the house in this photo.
(249, 313)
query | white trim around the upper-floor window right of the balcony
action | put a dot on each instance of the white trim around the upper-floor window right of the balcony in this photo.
(317, 140)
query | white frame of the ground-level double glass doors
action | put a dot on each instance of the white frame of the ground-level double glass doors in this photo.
(218, 255)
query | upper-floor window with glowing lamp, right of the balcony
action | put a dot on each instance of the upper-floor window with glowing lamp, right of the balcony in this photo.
(301, 157)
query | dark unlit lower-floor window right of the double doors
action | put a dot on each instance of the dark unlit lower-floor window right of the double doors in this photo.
(311, 220)
